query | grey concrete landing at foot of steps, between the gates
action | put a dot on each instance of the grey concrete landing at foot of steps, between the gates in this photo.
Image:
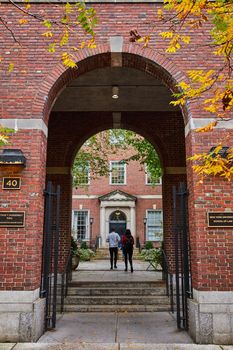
(143, 327)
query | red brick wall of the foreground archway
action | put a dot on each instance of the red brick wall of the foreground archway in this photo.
(29, 92)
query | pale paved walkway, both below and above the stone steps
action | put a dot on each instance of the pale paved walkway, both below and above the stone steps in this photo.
(114, 331)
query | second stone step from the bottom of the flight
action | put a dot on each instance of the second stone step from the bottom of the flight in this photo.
(116, 300)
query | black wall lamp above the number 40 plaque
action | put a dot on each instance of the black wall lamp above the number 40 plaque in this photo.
(12, 158)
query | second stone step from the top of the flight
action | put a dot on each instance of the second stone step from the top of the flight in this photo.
(116, 291)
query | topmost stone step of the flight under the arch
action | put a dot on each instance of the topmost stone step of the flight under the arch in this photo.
(117, 284)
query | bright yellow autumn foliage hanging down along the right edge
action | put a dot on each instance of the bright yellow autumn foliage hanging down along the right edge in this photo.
(194, 14)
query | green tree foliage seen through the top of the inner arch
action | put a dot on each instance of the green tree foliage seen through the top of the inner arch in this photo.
(94, 154)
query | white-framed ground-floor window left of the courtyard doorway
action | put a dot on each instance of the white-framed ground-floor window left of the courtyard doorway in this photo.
(80, 225)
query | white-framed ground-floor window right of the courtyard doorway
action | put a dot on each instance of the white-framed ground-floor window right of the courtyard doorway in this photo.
(154, 225)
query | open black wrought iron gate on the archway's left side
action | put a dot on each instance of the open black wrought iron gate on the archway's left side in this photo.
(50, 254)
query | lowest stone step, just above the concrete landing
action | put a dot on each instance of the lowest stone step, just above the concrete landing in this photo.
(116, 308)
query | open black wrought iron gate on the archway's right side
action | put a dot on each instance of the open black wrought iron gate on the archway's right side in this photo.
(182, 254)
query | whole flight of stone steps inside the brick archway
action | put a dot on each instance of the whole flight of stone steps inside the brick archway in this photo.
(115, 296)
